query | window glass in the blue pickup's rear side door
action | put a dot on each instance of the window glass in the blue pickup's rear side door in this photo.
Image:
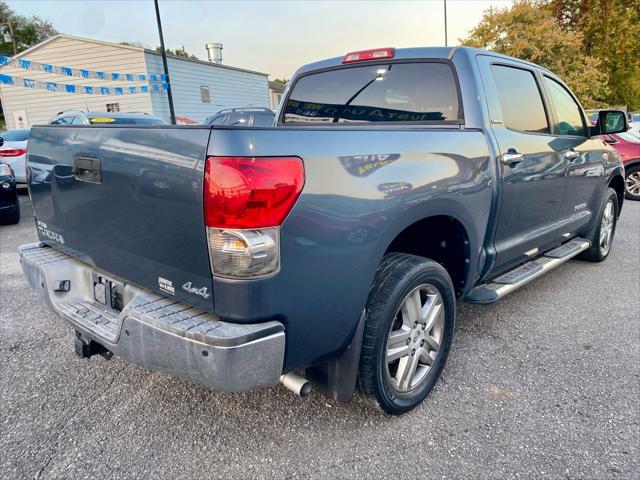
(520, 99)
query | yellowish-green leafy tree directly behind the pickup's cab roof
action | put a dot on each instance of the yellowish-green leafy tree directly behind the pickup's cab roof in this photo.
(531, 31)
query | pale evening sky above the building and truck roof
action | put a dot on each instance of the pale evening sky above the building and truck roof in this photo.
(274, 37)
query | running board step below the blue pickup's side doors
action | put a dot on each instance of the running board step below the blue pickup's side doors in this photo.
(518, 277)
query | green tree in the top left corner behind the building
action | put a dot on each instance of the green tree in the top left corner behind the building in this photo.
(27, 31)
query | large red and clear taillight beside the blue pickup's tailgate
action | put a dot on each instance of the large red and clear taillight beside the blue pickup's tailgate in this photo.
(246, 199)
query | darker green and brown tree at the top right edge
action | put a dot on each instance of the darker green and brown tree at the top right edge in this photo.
(611, 33)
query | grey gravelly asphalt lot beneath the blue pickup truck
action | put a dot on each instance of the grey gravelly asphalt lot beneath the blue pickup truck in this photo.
(545, 383)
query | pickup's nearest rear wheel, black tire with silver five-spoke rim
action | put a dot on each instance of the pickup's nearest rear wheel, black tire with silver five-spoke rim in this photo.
(408, 332)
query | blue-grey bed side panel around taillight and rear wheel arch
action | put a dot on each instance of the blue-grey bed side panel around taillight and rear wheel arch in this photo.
(362, 188)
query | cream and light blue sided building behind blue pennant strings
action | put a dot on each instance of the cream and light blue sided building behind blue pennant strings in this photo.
(199, 88)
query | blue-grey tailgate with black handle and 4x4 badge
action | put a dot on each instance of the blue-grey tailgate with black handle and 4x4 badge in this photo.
(126, 199)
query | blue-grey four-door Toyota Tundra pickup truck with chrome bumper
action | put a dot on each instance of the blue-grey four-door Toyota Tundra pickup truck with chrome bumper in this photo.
(331, 248)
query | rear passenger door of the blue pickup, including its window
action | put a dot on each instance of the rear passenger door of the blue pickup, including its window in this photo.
(532, 167)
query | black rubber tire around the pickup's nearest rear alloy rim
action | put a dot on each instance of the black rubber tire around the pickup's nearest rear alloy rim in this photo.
(398, 275)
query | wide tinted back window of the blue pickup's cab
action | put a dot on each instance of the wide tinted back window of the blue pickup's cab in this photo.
(394, 92)
